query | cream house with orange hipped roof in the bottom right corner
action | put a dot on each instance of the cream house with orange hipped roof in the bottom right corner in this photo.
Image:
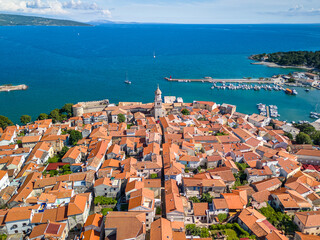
(308, 222)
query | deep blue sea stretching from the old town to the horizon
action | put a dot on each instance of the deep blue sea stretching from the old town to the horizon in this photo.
(71, 64)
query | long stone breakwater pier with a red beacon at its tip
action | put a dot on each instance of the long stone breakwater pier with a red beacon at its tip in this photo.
(211, 80)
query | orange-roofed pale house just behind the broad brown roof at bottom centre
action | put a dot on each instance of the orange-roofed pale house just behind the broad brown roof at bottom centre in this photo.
(142, 200)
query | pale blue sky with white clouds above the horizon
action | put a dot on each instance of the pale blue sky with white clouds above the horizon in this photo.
(171, 11)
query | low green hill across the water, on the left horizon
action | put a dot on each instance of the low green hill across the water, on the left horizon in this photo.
(20, 20)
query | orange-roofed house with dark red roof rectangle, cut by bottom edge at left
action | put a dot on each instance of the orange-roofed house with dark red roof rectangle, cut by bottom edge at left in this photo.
(50, 230)
